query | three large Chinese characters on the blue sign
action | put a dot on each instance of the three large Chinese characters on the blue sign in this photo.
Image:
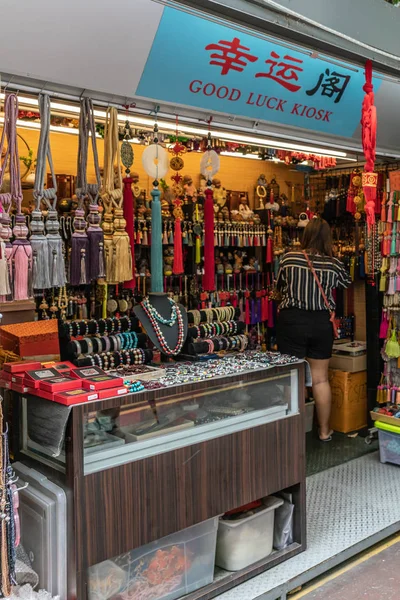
(233, 56)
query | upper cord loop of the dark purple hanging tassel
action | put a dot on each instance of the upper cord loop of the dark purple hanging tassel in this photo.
(87, 126)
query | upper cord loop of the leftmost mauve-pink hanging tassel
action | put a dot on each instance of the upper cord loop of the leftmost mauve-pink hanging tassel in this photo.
(11, 156)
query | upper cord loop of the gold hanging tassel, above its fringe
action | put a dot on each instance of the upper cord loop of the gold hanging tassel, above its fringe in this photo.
(112, 186)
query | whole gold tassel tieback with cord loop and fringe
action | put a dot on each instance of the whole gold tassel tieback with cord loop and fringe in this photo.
(116, 240)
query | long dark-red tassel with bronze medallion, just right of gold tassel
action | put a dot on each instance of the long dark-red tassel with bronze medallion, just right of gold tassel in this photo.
(127, 158)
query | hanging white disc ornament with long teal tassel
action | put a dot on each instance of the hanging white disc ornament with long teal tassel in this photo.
(155, 163)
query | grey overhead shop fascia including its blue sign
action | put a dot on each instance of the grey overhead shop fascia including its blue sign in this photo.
(196, 66)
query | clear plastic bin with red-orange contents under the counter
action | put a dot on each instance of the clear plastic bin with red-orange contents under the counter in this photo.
(164, 570)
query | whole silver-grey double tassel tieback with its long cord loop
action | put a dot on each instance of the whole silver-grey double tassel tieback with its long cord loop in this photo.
(48, 258)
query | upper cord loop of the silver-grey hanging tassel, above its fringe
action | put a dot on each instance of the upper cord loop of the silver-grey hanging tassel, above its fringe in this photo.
(49, 195)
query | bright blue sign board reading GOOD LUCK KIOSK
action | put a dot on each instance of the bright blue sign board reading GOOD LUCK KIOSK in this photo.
(197, 62)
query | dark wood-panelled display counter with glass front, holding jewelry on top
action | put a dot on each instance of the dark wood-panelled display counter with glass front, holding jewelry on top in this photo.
(144, 466)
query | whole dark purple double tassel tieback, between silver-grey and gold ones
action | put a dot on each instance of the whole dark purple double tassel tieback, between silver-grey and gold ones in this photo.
(87, 257)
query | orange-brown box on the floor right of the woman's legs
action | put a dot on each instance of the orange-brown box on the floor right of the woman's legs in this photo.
(349, 400)
